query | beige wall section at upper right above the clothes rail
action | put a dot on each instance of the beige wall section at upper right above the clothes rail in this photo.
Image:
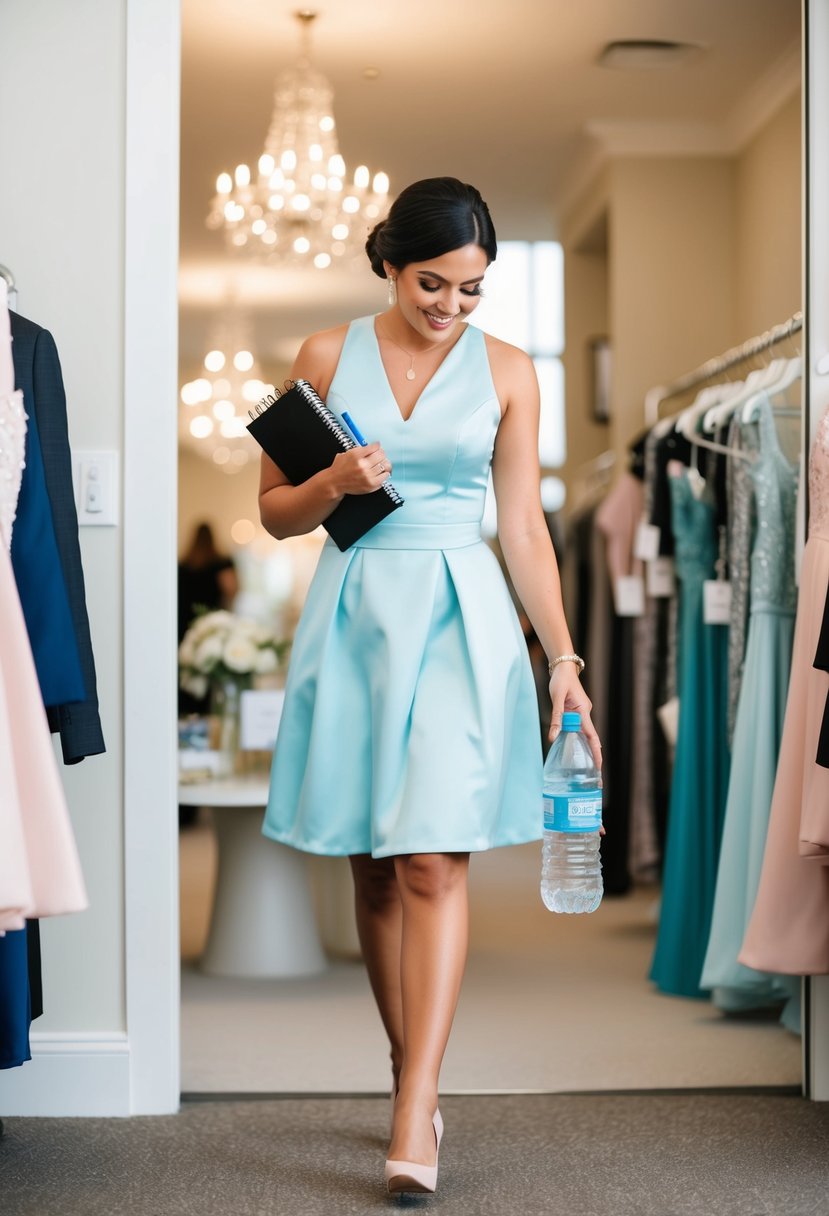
(769, 224)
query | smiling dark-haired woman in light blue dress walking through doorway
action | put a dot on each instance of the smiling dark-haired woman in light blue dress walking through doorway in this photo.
(410, 730)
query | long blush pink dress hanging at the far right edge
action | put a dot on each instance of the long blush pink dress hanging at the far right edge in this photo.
(789, 928)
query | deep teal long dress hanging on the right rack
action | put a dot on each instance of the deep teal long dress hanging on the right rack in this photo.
(701, 769)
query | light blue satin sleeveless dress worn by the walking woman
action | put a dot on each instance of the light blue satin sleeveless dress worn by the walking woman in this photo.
(410, 720)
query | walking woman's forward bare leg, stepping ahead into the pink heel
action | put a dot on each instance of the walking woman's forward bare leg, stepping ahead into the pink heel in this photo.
(436, 932)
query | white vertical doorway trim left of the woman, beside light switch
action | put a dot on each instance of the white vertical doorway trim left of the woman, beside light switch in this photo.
(151, 252)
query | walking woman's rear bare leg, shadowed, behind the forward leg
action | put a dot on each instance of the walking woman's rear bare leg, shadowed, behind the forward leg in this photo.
(380, 926)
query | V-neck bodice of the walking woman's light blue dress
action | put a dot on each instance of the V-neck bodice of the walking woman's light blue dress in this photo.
(442, 453)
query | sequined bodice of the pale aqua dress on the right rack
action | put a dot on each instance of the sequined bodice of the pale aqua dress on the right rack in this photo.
(776, 503)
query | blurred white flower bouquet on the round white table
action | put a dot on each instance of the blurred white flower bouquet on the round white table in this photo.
(219, 649)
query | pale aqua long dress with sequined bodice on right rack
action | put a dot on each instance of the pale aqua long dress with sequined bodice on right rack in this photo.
(758, 734)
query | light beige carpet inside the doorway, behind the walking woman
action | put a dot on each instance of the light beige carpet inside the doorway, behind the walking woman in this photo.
(550, 1004)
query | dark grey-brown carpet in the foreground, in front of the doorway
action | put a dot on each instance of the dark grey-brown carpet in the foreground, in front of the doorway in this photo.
(543, 1156)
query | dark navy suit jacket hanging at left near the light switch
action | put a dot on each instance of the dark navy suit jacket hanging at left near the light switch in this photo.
(38, 374)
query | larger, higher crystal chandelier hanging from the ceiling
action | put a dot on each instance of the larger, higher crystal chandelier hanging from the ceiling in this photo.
(301, 209)
